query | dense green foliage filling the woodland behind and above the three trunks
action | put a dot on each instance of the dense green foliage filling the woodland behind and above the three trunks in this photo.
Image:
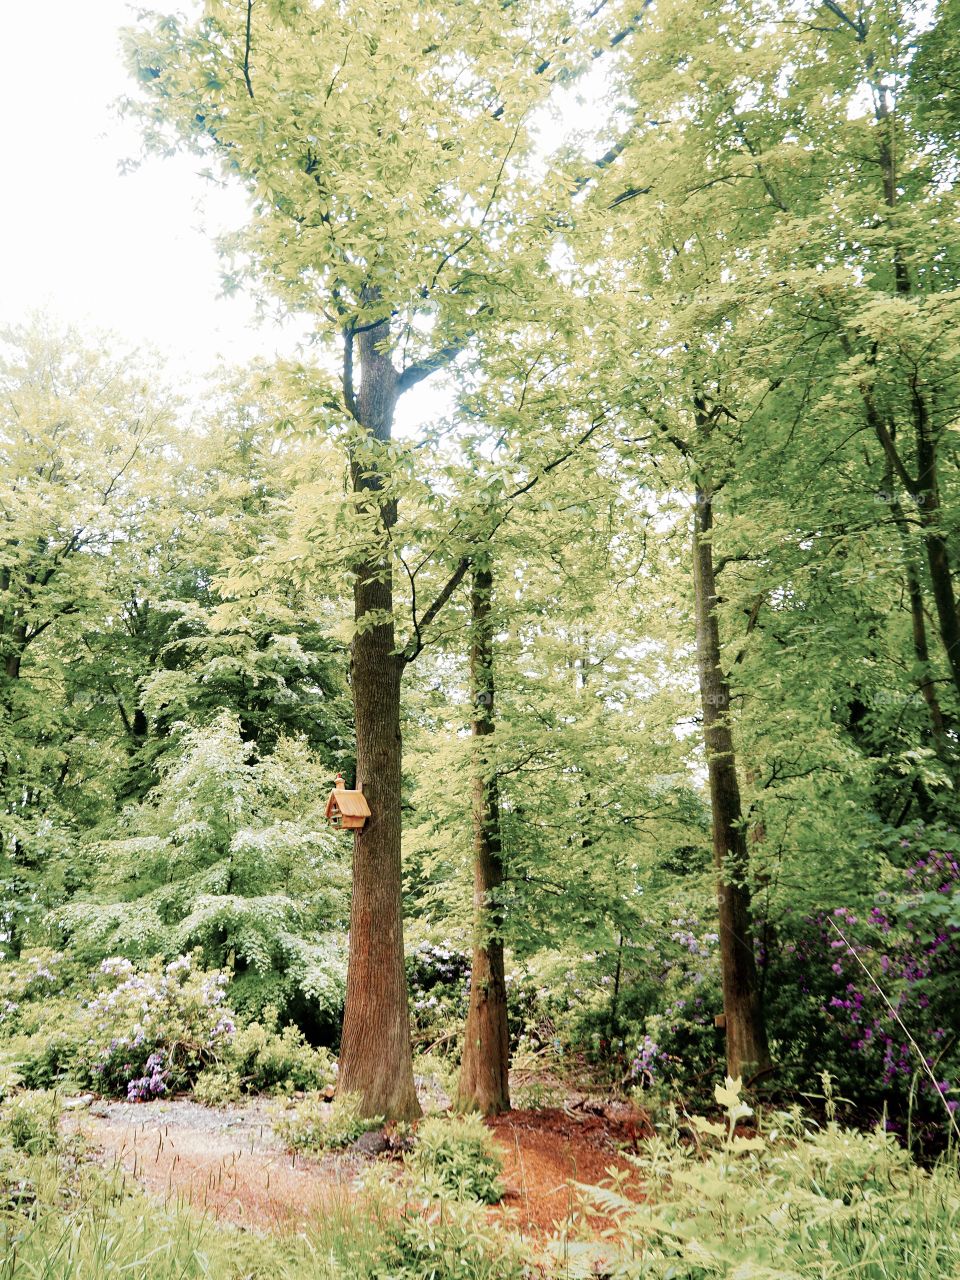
(740, 282)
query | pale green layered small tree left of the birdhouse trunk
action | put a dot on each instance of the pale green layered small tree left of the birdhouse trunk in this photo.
(231, 856)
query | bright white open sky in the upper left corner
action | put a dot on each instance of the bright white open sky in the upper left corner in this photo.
(92, 246)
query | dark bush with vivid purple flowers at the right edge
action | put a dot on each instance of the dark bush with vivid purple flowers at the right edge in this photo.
(828, 1013)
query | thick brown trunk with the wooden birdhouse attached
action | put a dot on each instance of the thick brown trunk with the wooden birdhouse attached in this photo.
(376, 1052)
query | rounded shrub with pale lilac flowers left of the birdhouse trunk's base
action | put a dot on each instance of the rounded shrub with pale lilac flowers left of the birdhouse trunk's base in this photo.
(145, 1034)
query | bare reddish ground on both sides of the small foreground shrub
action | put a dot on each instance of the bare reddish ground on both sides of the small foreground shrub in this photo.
(228, 1162)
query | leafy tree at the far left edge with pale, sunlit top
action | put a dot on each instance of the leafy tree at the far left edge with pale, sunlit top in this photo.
(80, 429)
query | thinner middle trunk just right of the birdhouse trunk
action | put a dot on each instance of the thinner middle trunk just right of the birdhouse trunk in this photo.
(484, 1084)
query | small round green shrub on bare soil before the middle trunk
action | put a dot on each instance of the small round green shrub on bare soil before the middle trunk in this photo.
(459, 1155)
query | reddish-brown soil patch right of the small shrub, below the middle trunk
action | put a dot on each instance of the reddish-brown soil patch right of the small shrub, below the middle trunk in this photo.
(547, 1153)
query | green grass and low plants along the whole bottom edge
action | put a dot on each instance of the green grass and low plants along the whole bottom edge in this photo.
(787, 1204)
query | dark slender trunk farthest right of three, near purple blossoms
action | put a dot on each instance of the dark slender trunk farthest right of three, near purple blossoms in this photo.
(747, 1037)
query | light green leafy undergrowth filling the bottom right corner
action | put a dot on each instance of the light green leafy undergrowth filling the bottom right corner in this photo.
(790, 1201)
